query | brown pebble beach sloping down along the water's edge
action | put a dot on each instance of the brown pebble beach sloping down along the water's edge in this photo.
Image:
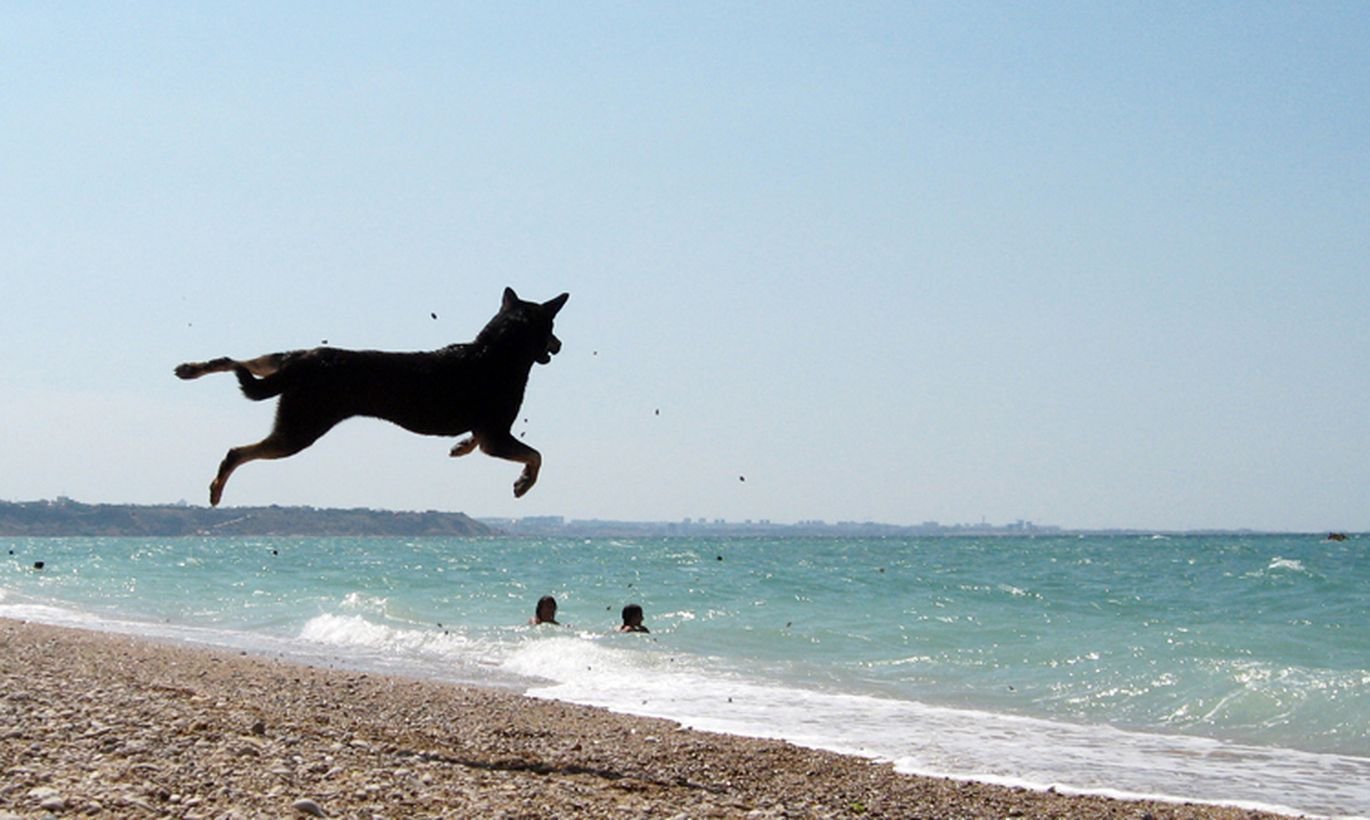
(97, 723)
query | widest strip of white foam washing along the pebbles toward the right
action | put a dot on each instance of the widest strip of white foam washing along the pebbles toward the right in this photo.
(964, 744)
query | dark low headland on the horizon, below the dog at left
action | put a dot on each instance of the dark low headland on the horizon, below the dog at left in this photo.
(72, 518)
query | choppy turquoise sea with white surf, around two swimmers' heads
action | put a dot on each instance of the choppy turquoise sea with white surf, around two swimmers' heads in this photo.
(1227, 669)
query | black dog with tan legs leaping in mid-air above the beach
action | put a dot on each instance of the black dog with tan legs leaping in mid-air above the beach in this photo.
(472, 388)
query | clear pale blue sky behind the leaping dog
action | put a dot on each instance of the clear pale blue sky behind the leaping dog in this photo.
(1083, 264)
